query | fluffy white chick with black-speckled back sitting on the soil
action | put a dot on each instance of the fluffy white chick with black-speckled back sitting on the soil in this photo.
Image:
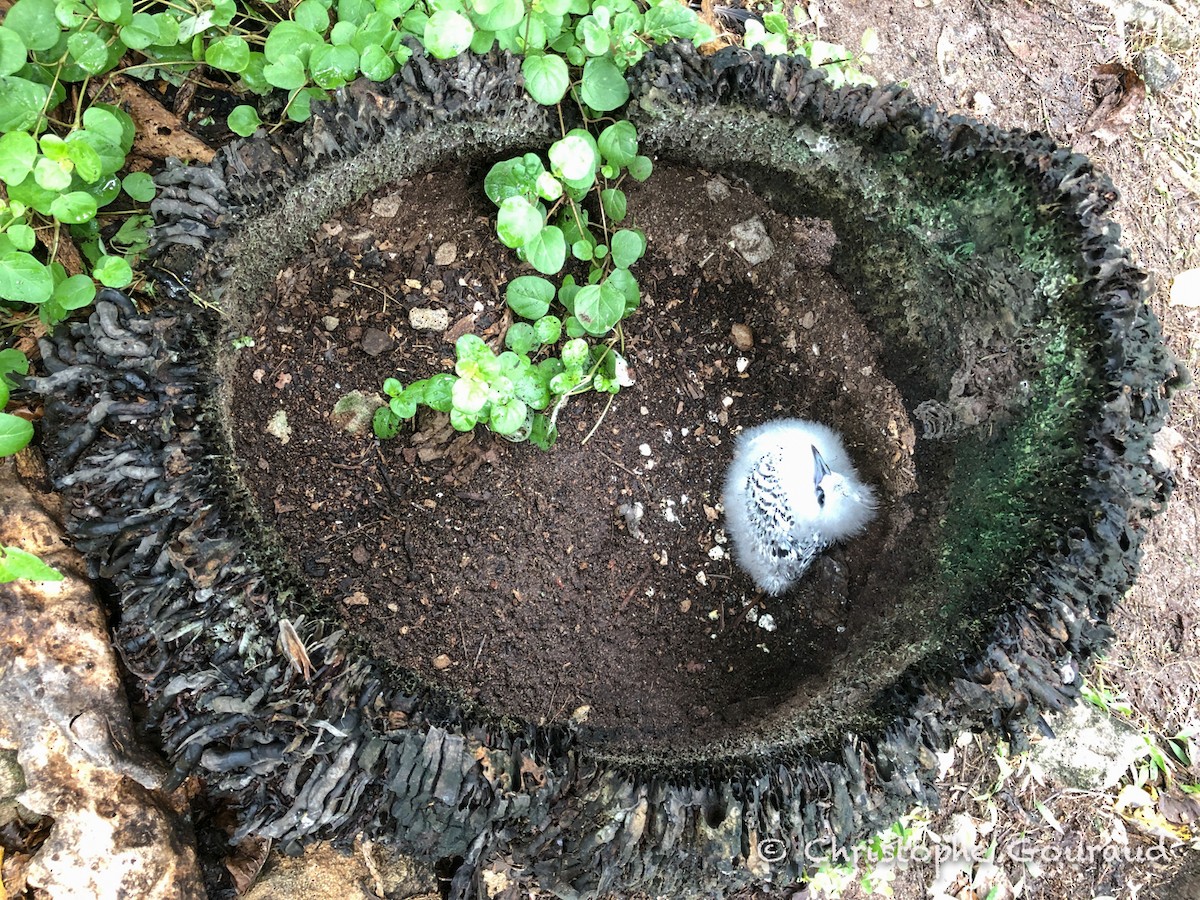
(791, 491)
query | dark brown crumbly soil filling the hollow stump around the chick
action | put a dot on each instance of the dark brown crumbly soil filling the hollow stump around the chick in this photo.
(508, 573)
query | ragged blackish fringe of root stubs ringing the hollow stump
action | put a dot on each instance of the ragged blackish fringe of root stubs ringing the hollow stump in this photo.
(133, 441)
